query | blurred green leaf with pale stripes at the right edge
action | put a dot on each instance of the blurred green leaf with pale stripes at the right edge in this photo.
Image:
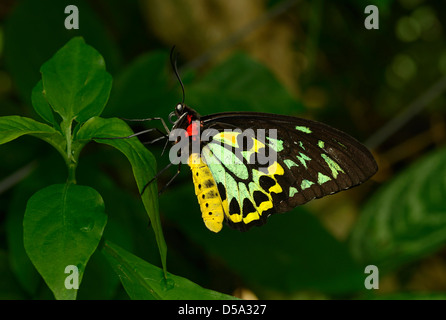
(406, 218)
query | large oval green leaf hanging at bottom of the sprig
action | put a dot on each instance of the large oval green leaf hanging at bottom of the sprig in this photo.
(63, 225)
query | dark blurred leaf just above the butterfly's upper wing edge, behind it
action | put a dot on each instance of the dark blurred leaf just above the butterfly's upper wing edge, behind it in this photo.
(240, 83)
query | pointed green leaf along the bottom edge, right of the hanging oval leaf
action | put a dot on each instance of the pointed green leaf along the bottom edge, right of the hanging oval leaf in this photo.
(142, 280)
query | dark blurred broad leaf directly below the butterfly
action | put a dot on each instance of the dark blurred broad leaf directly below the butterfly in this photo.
(292, 252)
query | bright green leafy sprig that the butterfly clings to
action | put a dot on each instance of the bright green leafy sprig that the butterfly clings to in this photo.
(64, 223)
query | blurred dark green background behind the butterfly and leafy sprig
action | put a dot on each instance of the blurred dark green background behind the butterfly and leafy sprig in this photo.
(312, 59)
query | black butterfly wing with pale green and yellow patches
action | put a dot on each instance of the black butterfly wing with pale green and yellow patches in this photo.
(314, 159)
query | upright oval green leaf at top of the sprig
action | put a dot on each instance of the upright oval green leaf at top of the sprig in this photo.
(75, 81)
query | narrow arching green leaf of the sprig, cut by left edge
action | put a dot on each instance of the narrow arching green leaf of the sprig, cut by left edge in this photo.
(12, 127)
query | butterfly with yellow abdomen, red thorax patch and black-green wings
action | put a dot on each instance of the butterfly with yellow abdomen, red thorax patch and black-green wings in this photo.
(306, 160)
